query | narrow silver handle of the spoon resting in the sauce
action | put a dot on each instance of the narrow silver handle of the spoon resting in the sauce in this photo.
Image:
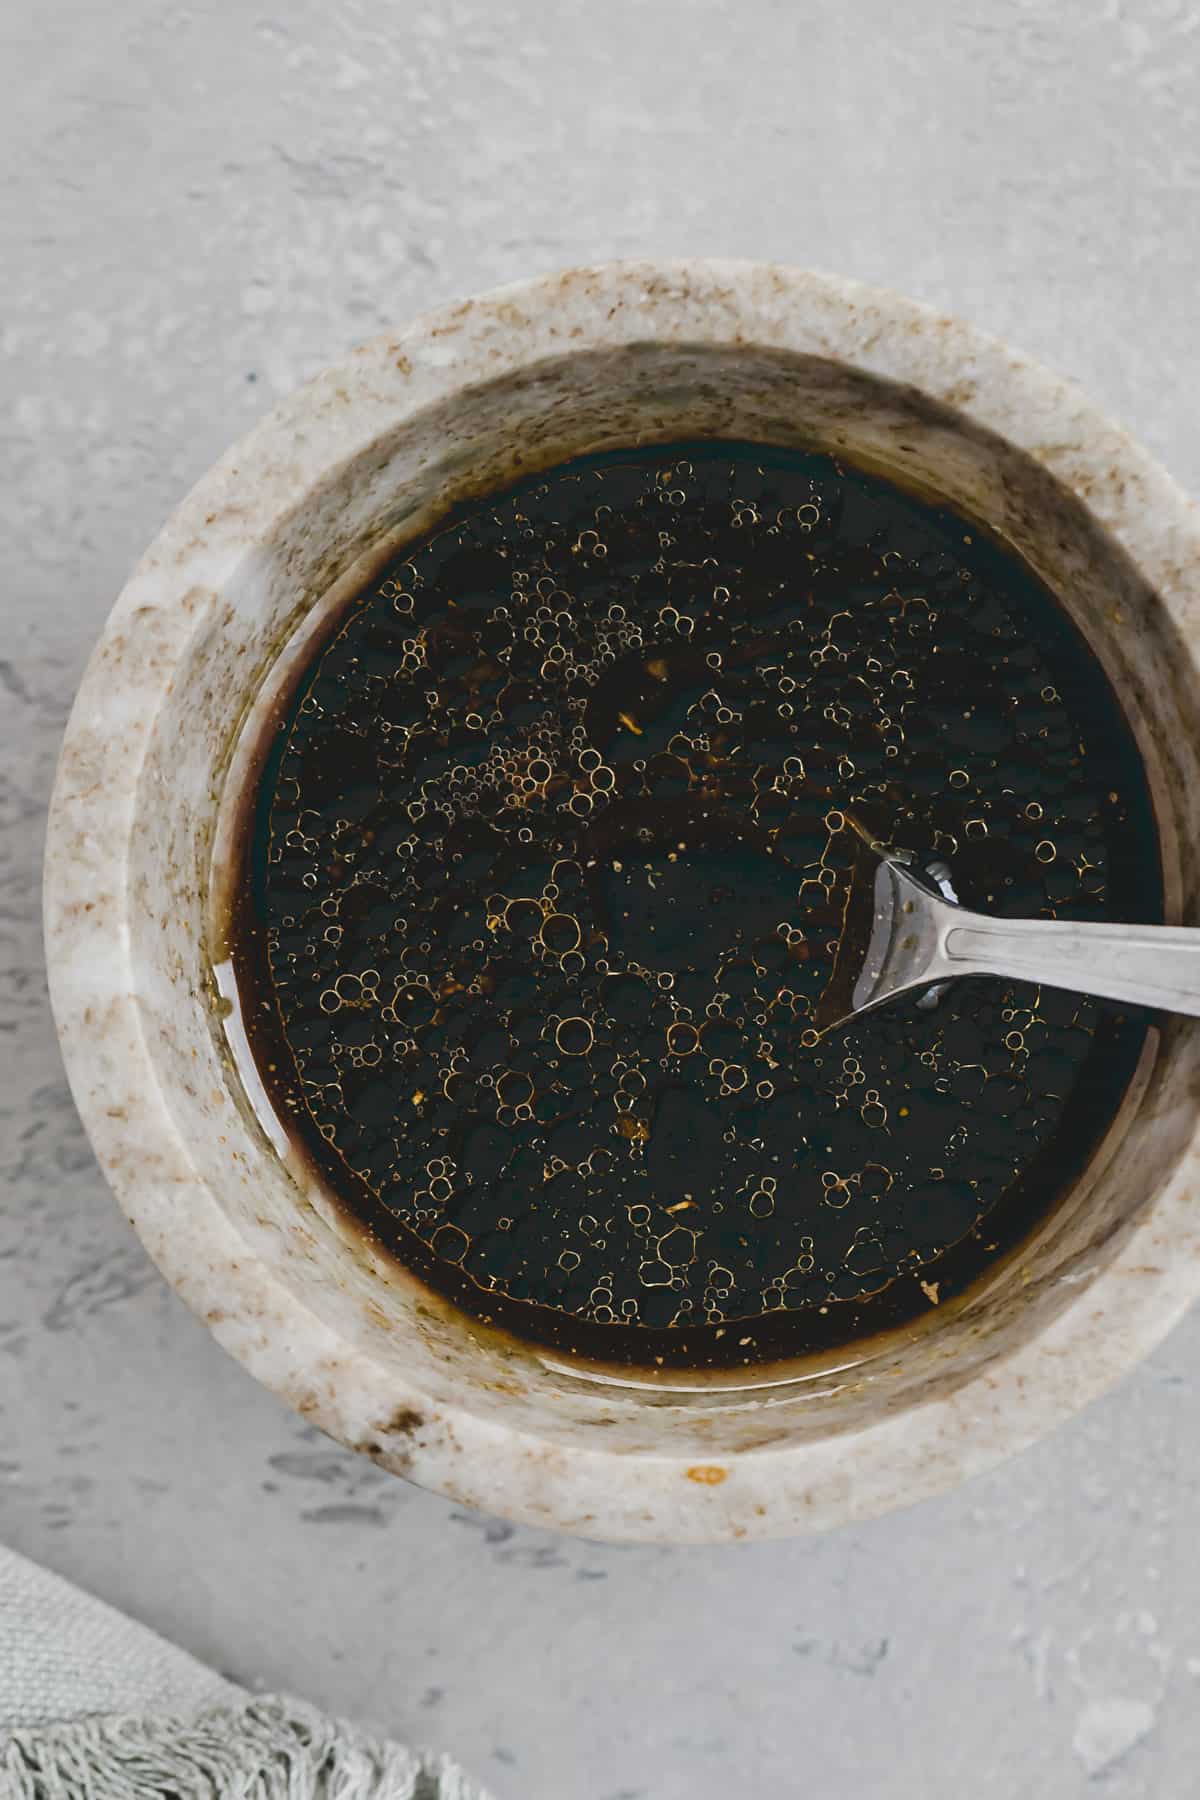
(1145, 966)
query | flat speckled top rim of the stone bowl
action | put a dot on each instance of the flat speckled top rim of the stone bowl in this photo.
(1104, 1331)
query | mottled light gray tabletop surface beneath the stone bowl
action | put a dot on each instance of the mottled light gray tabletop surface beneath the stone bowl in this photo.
(202, 204)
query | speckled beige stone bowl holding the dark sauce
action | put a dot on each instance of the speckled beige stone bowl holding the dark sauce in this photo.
(372, 453)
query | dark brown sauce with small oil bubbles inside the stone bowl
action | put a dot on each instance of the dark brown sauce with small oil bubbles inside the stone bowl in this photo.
(546, 868)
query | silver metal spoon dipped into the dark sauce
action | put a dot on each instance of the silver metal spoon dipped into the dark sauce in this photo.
(902, 933)
